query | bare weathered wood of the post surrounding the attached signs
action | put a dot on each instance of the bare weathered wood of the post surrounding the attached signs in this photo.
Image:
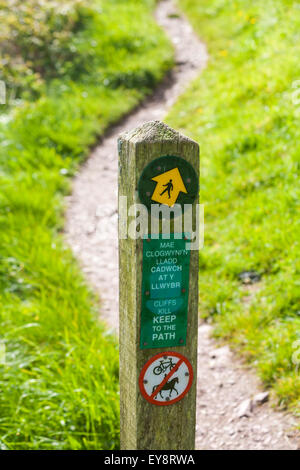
(144, 425)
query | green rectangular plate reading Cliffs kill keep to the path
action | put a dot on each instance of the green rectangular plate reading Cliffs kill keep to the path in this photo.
(165, 292)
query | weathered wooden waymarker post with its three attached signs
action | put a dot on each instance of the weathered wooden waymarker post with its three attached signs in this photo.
(158, 167)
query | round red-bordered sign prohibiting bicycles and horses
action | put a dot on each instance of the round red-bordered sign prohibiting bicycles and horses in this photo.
(166, 378)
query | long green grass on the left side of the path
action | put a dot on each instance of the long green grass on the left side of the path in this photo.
(59, 367)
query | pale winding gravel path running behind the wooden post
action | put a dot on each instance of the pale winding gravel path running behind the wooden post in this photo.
(226, 416)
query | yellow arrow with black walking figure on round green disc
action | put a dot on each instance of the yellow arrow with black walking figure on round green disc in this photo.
(169, 185)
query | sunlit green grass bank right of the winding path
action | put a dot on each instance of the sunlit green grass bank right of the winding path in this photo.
(241, 111)
